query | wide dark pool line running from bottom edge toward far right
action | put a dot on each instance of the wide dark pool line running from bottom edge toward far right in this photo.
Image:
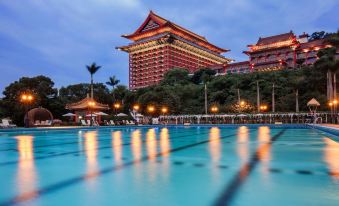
(232, 188)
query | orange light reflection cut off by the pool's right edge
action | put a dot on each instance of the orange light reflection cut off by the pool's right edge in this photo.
(331, 157)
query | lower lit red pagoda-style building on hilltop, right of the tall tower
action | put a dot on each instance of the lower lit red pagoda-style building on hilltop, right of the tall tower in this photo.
(276, 52)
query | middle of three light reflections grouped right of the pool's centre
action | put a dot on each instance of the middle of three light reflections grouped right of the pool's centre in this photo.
(243, 140)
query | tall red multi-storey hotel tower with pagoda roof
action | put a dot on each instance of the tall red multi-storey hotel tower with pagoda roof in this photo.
(160, 45)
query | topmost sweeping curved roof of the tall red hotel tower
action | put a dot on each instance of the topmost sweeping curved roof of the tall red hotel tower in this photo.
(155, 25)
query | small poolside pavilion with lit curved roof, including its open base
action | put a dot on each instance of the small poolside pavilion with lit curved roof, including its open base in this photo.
(86, 108)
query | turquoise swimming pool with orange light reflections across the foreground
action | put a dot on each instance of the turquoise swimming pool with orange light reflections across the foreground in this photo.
(173, 165)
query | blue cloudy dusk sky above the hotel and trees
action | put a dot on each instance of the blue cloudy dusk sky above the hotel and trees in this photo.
(57, 38)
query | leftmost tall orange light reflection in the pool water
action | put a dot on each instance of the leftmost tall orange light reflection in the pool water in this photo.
(26, 175)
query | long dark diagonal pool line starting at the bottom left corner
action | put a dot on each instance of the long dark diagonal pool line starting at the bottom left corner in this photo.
(72, 181)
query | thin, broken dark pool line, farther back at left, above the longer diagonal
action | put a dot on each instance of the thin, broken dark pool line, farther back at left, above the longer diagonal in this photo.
(98, 148)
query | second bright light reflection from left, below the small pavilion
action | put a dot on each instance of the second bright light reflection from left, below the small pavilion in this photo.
(91, 151)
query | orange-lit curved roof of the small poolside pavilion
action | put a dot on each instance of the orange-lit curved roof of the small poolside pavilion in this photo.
(84, 104)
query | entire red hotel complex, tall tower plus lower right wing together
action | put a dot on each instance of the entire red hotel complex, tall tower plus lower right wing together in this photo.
(159, 45)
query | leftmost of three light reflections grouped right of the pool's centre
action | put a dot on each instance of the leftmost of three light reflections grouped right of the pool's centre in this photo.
(215, 144)
